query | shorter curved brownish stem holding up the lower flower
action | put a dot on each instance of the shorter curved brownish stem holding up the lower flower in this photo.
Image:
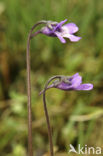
(46, 114)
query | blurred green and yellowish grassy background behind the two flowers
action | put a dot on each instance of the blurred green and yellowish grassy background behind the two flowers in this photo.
(76, 117)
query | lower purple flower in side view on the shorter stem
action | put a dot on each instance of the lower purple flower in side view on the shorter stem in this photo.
(70, 83)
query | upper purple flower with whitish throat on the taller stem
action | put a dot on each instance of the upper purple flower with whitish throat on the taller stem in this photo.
(55, 29)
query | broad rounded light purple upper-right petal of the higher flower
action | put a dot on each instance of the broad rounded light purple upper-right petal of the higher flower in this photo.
(72, 28)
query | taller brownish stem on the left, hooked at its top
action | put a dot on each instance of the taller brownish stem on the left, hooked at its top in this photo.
(30, 36)
